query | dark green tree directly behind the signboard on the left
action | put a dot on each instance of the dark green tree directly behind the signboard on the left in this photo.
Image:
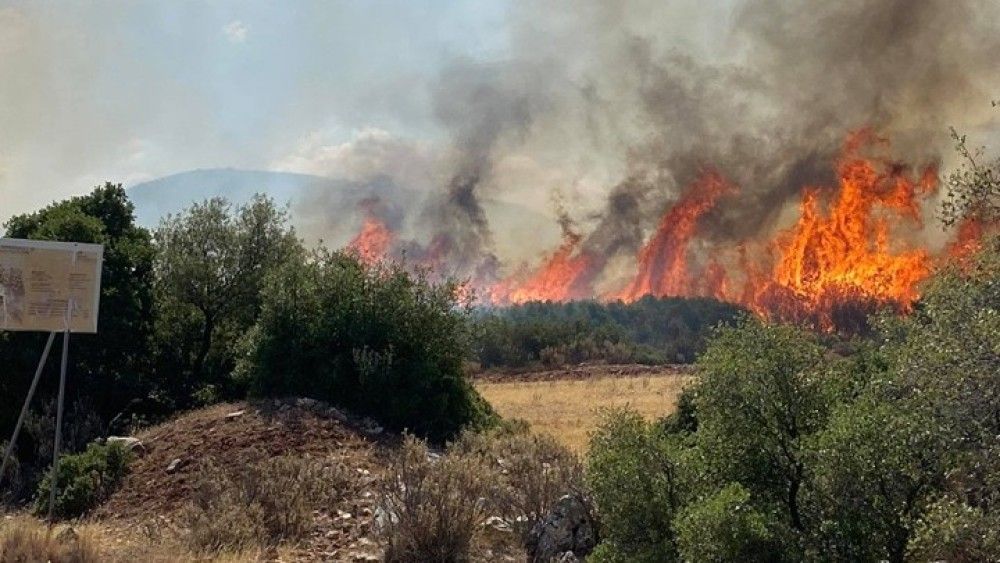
(109, 371)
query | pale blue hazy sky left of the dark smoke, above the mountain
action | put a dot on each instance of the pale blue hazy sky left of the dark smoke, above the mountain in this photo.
(127, 91)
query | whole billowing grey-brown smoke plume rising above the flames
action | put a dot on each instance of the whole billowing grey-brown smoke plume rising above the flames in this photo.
(623, 105)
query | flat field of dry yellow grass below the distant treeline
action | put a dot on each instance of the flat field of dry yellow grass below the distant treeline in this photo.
(567, 409)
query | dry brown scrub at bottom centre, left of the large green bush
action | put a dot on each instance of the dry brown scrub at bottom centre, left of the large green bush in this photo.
(434, 505)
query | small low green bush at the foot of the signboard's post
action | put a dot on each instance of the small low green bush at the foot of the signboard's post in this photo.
(85, 480)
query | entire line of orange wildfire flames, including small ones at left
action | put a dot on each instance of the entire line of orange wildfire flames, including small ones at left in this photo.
(851, 250)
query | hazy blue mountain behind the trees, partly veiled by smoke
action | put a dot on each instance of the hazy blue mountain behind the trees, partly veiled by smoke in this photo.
(329, 208)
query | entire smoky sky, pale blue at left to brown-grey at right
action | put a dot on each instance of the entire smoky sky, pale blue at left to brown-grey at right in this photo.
(599, 115)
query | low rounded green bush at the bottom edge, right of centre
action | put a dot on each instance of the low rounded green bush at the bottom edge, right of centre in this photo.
(726, 527)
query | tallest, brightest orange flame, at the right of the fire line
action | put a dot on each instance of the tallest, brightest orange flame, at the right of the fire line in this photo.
(845, 254)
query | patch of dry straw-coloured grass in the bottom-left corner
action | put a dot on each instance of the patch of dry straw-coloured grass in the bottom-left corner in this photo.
(26, 540)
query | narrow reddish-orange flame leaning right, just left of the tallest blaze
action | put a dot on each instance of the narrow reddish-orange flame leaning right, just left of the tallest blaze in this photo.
(663, 262)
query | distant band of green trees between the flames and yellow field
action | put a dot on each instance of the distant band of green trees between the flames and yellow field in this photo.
(649, 331)
